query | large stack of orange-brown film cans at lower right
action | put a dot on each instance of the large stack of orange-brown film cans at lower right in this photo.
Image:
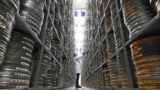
(146, 56)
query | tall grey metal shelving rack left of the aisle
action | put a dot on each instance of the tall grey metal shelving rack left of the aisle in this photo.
(62, 53)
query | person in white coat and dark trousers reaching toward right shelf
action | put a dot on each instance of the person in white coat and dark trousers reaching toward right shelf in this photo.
(78, 68)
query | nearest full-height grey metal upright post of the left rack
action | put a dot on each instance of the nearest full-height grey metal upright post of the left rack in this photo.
(41, 48)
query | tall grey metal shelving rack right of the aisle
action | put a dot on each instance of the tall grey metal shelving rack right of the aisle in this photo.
(96, 64)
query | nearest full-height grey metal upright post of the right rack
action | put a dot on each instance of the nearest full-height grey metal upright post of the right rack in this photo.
(127, 57)
